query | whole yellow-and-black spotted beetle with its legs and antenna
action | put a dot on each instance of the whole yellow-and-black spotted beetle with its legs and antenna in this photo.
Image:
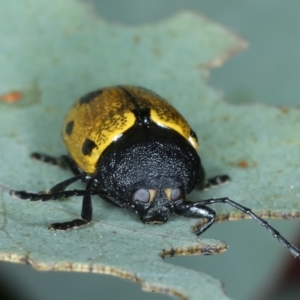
(134, 150)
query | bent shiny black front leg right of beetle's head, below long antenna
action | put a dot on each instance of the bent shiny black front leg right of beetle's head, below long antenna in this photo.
(196, 210)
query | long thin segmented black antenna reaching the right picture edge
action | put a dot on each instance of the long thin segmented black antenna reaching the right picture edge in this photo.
(295, 251)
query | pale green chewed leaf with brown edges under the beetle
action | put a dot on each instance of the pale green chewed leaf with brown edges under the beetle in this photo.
(51, 54)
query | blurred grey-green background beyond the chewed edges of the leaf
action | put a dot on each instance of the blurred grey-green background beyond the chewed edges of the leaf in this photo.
(255, 266)
